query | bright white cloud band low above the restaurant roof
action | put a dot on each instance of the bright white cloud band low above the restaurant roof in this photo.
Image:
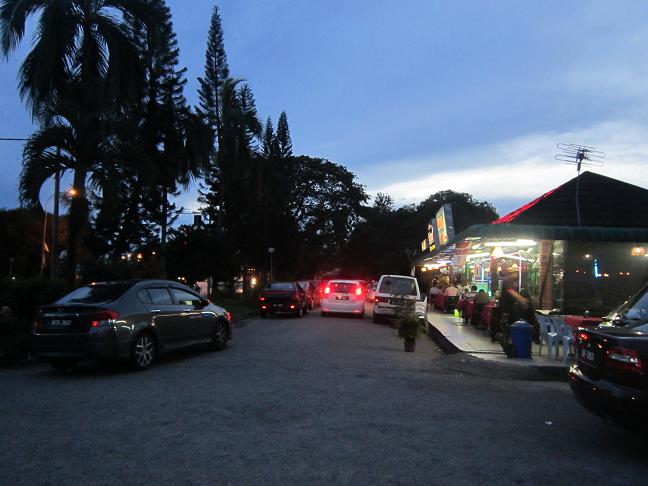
(516, 170)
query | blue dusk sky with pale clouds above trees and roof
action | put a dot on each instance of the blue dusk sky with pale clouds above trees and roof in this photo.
(420, 96)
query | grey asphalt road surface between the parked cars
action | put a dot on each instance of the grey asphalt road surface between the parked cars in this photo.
(311, 400)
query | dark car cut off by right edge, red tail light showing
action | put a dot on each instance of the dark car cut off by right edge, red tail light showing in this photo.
(610, 377)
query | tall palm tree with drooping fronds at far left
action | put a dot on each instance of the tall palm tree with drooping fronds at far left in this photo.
(80, 43)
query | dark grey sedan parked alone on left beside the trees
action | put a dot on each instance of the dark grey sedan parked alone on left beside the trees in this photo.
(132, 320)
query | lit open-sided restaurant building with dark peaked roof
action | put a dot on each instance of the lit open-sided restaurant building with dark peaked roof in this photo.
(582, 246)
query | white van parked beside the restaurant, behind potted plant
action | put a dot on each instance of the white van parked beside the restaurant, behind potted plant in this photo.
(391, 290)
